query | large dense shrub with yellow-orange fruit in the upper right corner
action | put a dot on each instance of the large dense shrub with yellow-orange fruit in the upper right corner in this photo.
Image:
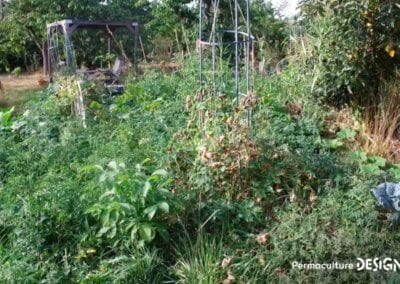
(355, 47)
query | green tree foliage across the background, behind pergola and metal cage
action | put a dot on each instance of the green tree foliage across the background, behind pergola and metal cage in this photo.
(23, 30)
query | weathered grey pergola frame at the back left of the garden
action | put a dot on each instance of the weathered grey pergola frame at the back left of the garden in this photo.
(60, 33)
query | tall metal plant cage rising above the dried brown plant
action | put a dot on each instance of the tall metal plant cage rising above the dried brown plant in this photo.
(243, 40)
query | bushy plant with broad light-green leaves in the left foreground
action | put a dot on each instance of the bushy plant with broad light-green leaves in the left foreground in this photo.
(132, 208)
